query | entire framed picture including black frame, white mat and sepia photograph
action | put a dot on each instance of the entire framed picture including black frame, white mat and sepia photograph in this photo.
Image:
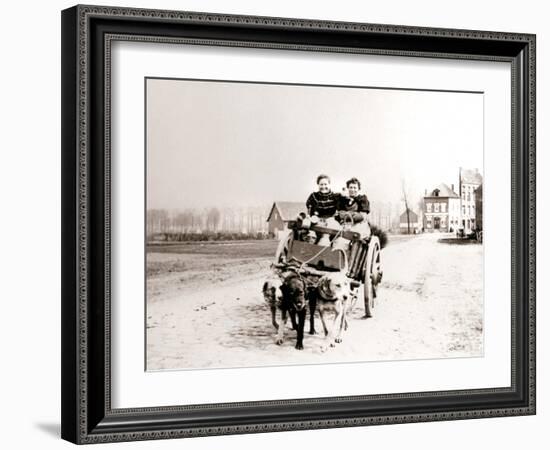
(280, 223)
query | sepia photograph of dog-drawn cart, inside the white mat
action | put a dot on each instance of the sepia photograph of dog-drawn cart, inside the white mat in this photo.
(291, 224)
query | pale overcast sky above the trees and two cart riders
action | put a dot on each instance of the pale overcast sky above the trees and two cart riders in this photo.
(242, 144)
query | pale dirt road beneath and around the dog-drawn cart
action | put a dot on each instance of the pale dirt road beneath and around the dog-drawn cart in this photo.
(429, 305)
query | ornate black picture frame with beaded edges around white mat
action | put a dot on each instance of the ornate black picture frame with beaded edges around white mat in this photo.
(87, 33)
